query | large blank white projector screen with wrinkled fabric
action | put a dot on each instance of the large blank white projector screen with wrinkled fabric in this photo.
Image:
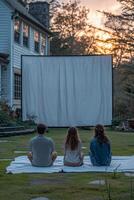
(63, 91)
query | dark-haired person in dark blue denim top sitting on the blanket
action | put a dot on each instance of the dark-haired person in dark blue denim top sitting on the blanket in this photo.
(100, 148)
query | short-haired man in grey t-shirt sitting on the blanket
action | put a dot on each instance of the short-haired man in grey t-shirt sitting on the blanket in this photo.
(42, 150)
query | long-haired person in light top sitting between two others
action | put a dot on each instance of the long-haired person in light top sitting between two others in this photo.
(72, 151)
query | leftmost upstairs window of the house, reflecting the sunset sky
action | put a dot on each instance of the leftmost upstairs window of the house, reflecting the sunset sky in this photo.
(17, 30)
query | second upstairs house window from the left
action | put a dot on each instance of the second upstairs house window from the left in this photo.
(25, 35)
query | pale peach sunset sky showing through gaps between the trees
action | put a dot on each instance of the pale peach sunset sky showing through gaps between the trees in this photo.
(97, 19)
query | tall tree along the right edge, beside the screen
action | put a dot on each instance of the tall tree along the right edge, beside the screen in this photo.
(120, 28)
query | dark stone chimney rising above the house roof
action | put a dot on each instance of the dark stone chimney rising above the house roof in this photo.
(40, 11)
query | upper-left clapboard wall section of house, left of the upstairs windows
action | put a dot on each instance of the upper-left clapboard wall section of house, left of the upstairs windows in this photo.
(5, 27)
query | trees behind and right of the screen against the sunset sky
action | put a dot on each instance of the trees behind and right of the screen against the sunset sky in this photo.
(72, 34)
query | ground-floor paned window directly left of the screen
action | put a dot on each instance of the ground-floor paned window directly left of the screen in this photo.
(17, 86)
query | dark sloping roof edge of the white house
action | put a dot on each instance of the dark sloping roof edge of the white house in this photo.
(24, 12)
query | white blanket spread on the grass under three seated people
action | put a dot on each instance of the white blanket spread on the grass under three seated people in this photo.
(119, 164)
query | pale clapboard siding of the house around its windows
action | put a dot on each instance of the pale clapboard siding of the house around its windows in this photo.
(15, 51)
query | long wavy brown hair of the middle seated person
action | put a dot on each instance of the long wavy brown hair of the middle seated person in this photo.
(72, 138)
